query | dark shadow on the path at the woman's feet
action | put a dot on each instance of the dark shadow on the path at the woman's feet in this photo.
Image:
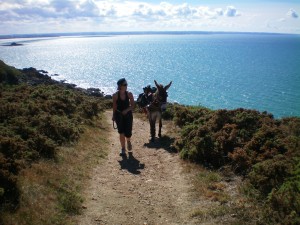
(131, 164)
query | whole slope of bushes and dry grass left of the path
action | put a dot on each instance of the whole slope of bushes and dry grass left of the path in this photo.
(40, 178)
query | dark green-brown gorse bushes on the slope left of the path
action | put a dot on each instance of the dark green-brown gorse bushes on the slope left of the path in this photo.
(34, 121)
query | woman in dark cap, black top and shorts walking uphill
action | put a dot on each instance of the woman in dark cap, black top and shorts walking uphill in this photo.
(123, 104)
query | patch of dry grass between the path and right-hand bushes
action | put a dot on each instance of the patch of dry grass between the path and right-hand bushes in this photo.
(222, 198)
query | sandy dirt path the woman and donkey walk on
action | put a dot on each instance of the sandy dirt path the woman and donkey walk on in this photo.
(147, 187)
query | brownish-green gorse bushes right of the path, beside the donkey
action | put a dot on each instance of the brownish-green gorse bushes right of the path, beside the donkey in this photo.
(254, 144)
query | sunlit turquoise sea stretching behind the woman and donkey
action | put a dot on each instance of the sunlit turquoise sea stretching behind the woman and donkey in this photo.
(252, 71)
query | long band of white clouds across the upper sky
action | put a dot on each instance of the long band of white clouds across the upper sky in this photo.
(26, 9)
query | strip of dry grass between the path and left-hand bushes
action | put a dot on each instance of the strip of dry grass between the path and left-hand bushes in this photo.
(51, 190)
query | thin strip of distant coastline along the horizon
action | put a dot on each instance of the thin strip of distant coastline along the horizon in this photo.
(104, 34)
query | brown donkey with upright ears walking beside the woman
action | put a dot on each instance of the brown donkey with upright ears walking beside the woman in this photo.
(156, 107)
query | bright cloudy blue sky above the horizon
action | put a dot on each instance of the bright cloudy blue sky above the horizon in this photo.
(48, 16)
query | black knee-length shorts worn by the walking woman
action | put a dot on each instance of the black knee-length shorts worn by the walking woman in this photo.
(124, 123)
